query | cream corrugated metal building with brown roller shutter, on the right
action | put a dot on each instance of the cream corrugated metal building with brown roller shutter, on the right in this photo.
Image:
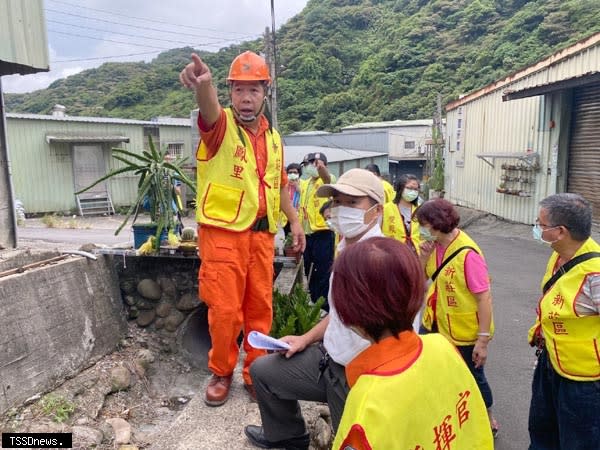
(529, 135)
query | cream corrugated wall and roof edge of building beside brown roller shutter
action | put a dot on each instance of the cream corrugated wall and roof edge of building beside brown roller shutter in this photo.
(538, 124)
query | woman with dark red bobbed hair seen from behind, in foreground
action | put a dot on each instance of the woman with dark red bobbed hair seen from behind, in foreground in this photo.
(407, 391)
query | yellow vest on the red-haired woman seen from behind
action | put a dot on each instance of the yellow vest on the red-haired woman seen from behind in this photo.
(450, 413)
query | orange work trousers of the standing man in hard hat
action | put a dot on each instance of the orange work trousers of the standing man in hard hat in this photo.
(236, 283)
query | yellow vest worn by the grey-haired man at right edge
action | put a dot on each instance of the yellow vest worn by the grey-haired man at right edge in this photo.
(572, 341)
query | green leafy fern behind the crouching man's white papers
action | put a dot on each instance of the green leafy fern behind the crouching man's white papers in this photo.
(294, 314)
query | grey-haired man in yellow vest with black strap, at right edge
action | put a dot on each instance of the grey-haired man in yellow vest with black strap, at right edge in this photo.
(565, 397)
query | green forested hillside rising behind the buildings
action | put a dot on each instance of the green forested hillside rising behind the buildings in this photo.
(345, 61)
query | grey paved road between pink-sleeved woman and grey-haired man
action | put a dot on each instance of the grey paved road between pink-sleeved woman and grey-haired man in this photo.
(516, 266)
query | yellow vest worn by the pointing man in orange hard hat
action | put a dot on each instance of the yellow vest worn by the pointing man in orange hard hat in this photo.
(228, 183)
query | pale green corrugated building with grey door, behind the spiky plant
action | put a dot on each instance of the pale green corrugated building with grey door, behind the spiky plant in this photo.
(54, 156)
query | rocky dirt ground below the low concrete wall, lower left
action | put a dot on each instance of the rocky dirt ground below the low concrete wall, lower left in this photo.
(160, 385)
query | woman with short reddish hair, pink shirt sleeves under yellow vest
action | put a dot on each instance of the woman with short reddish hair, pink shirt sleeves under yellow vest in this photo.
(459, 300)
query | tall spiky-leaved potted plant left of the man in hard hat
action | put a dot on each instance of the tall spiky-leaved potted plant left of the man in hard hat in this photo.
(157, 192)
